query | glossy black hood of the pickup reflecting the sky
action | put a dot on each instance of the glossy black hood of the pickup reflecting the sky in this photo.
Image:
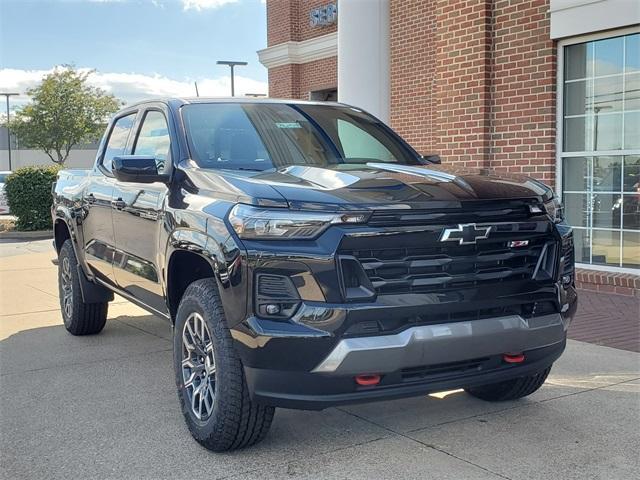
(373, 186)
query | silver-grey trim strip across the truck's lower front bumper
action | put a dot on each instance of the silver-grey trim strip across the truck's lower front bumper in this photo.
(442, 343)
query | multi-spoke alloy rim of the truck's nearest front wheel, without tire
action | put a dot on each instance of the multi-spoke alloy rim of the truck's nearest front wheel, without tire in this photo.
(198, 366)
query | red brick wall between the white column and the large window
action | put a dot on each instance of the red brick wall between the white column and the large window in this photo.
(474, 80)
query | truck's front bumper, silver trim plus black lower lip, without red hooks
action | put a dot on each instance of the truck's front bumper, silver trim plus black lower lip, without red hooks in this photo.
(416, 361)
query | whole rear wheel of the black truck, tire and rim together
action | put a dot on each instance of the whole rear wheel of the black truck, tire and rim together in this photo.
(79, 318)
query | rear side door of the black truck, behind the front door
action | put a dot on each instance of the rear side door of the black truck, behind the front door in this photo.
(97, 226)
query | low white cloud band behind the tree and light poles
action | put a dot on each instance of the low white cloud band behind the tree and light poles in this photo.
(131, 87)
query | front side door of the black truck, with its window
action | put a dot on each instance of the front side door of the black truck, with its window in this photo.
(138, 215)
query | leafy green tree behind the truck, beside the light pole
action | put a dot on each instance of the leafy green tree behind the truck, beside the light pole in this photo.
(64, 111)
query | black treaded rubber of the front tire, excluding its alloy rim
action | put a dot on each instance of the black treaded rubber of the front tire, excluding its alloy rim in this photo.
(241, 422)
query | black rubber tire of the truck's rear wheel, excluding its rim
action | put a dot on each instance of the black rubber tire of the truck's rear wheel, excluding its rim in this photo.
(87, 318)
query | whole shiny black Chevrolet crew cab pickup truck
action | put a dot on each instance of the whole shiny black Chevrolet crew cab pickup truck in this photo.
(308, 257)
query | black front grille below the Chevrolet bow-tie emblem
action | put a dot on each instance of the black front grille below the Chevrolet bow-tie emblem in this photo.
(418, 262)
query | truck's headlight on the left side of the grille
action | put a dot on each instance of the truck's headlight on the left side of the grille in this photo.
(280, 223)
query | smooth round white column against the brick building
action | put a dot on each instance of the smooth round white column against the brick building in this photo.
(363, 55)
